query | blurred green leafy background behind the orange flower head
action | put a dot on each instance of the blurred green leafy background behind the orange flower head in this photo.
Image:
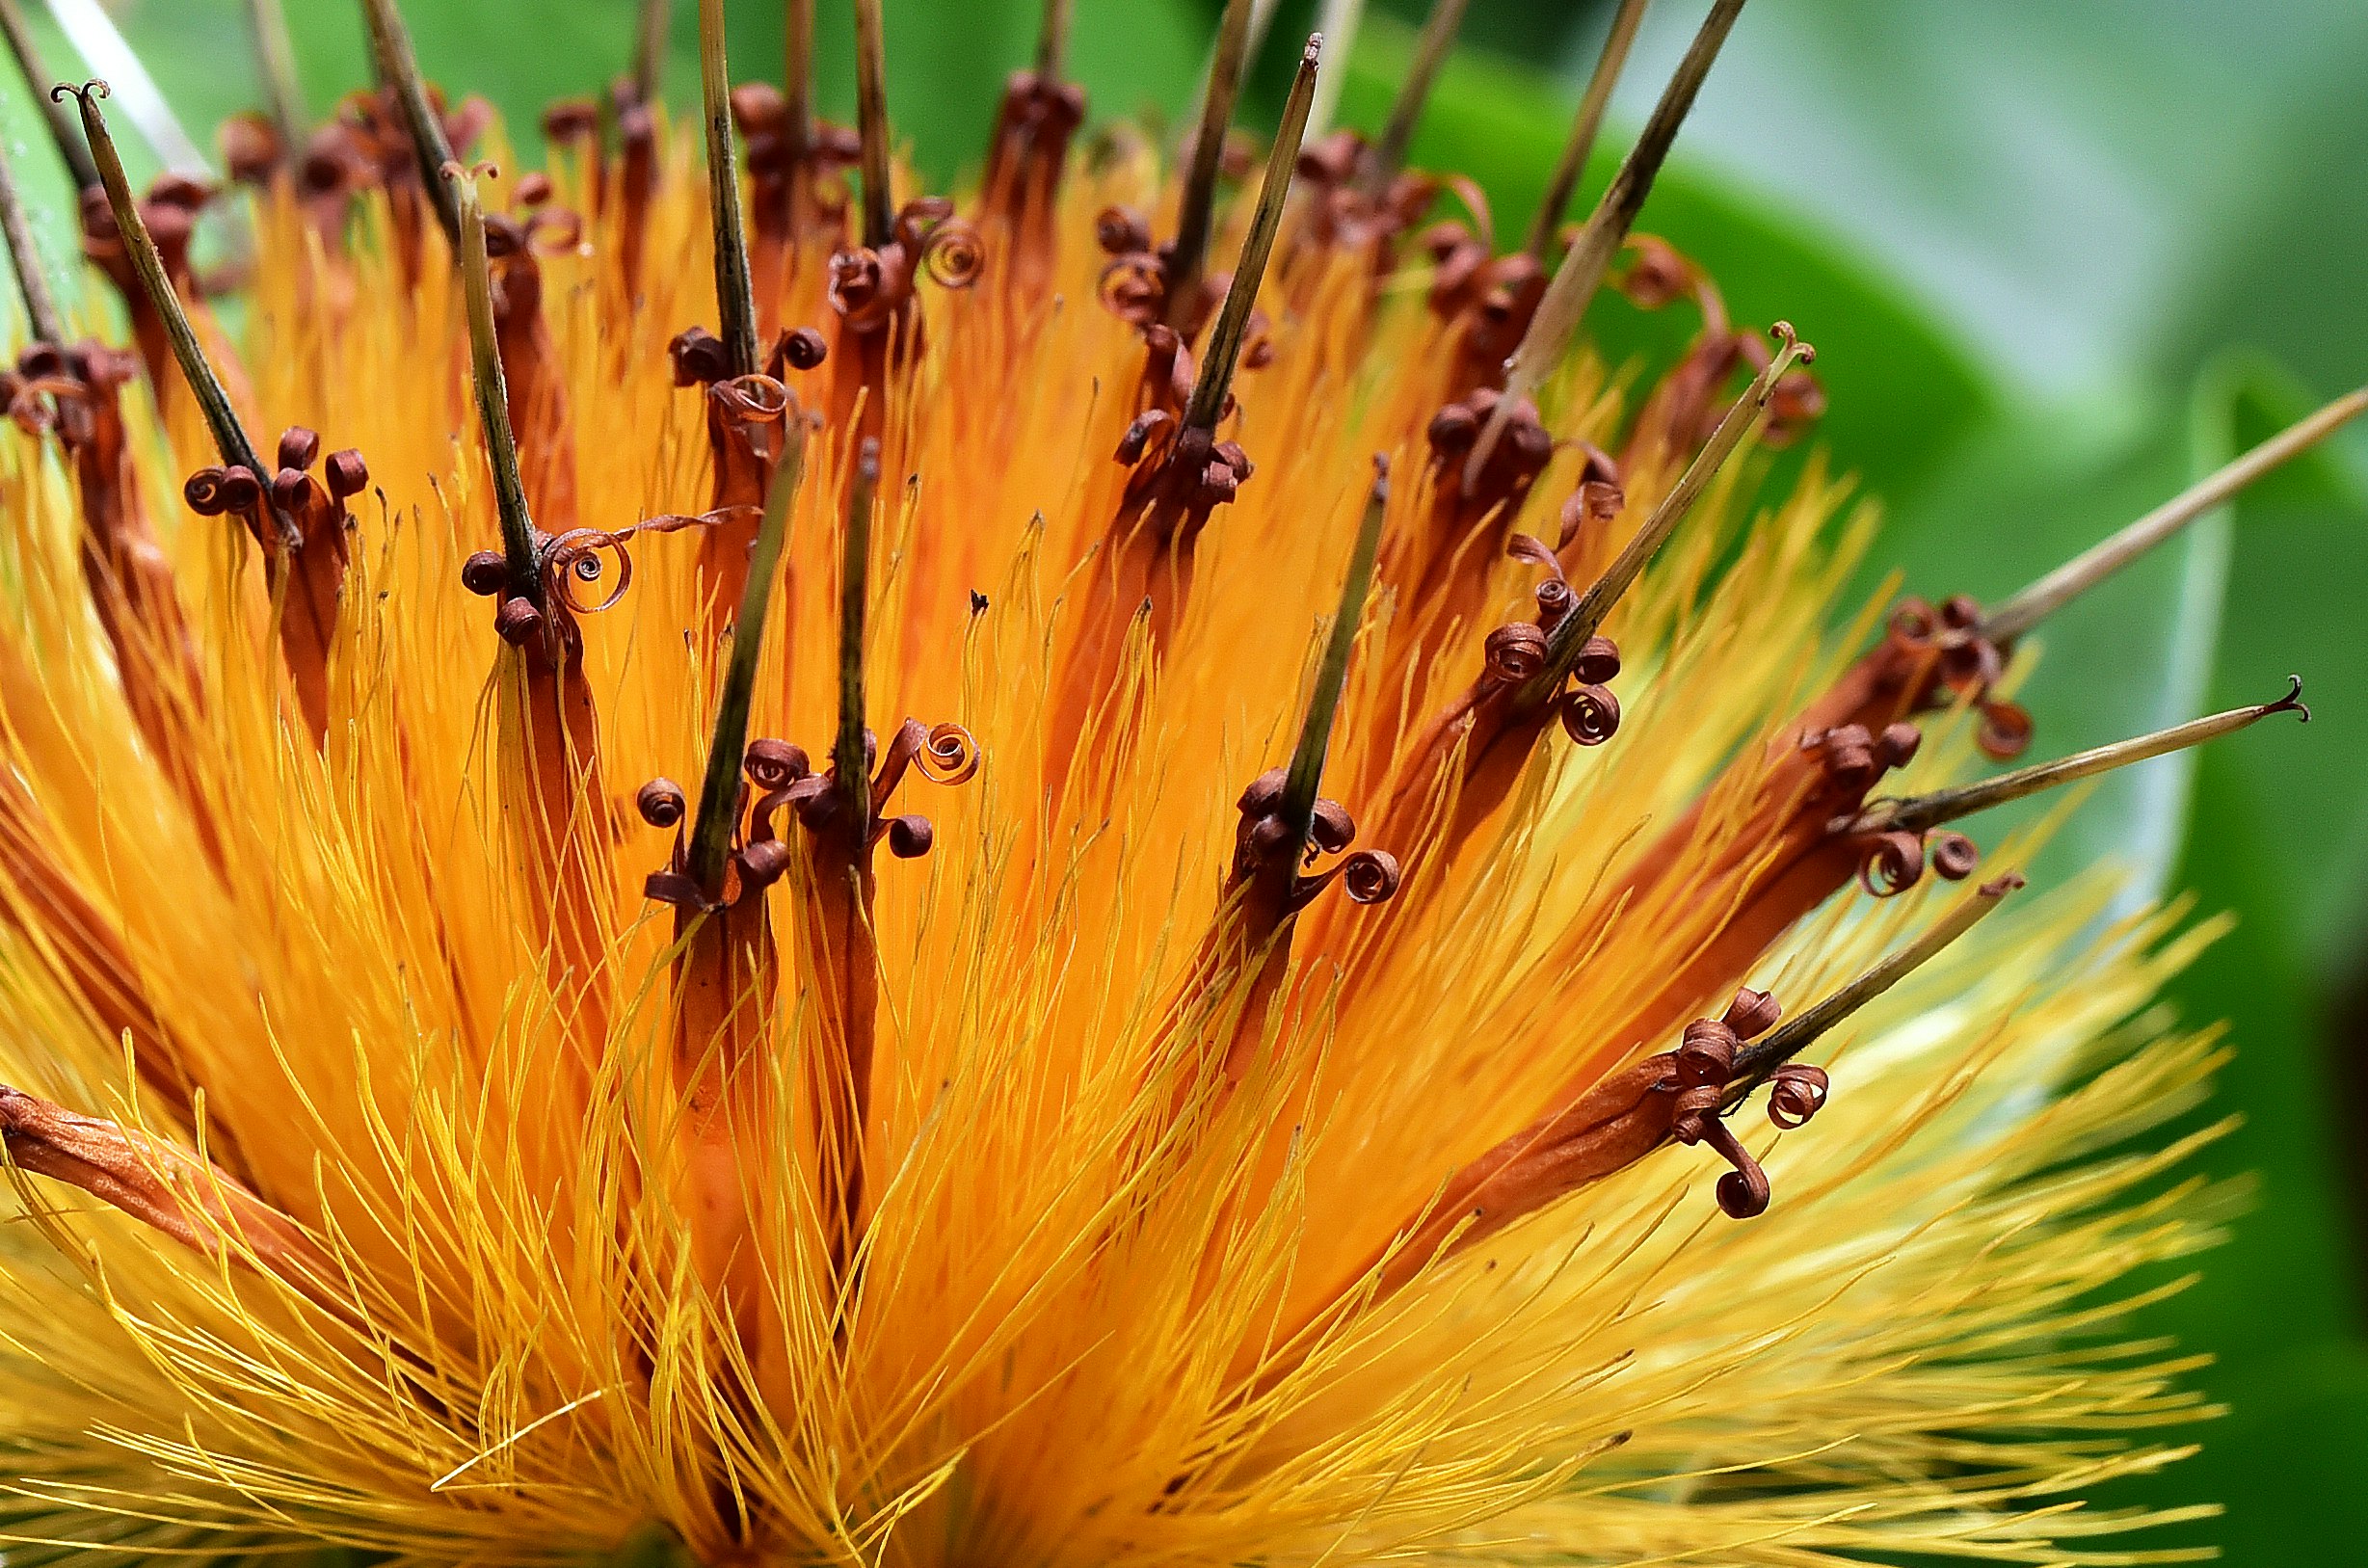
(2059, 257)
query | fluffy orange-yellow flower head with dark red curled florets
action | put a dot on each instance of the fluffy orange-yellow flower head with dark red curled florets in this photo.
(1294, 939)
